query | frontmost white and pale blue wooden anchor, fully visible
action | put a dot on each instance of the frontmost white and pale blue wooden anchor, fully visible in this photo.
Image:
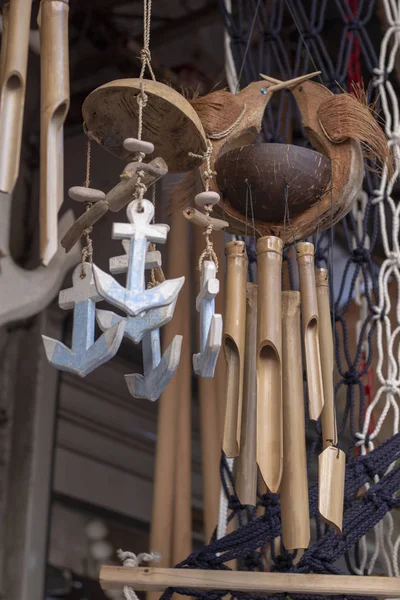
(135, 299)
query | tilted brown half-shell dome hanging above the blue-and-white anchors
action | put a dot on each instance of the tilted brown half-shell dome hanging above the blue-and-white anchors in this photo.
(170, 123)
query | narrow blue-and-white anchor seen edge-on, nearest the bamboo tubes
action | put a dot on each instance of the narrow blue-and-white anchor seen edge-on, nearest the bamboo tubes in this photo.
(210, 323)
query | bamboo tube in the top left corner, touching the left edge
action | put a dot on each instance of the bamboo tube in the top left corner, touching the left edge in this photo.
(12, 96)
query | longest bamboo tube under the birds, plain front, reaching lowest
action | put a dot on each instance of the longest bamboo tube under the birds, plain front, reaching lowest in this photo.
(294, 487)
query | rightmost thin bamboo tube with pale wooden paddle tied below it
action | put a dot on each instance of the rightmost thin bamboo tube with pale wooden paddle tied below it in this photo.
(332, 461)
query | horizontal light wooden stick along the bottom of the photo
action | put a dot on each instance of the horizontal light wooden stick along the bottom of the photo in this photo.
(142, 579)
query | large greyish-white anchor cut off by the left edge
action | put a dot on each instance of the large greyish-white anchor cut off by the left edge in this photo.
(24, 293)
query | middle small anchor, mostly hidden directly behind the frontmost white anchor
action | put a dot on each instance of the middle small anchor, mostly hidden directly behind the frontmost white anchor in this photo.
(136, 327)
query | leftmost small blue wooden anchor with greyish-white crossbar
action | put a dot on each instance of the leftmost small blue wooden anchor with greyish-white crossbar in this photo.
(85, 354)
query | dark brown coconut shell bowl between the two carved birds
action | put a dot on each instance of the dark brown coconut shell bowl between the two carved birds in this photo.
(268, 168)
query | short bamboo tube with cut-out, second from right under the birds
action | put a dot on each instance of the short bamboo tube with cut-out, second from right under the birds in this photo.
(309, 313)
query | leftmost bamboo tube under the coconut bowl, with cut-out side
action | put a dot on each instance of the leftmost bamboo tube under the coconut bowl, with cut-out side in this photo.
(234, 342)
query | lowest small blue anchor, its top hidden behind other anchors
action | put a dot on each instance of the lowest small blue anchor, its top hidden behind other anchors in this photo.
(158, 371)
